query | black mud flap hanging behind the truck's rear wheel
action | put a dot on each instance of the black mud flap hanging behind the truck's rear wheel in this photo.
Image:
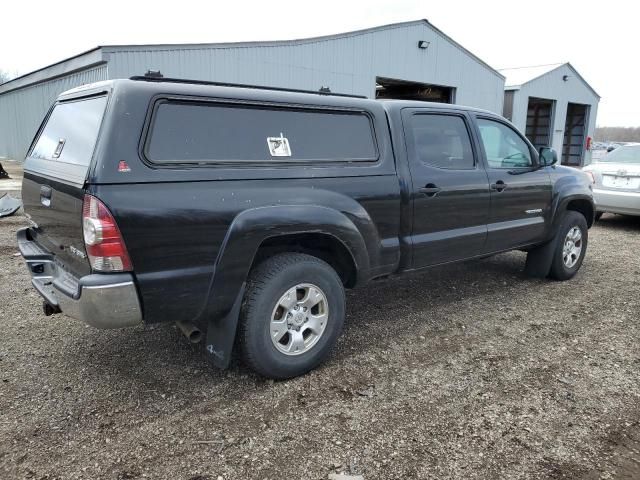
(221, 334)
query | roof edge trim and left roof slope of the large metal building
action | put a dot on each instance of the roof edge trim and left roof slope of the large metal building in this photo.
(100, 54)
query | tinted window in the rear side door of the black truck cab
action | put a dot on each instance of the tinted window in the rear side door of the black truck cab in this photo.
(442, 141)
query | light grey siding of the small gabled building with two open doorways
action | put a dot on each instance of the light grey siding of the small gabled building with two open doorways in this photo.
(552, 87)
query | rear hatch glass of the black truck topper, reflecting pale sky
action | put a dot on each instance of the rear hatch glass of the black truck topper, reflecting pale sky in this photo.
(71, 132)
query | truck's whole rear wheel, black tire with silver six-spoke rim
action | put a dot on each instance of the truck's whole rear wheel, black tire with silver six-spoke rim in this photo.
(292, 315)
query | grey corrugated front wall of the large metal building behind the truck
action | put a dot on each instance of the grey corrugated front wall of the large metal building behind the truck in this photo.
(346, 64)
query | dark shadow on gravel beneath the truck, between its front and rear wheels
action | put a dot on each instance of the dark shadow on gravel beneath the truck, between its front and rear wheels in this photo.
(426, 301)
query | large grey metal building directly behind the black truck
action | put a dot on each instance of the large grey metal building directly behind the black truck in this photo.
(404, 60)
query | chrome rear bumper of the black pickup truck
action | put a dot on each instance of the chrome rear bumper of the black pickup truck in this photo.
(101, 300)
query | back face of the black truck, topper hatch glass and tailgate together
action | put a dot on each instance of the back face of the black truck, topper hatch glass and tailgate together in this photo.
(55, 172)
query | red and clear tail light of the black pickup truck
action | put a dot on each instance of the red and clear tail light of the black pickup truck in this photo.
(102, 238)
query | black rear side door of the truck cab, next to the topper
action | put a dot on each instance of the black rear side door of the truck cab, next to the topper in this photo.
(449, 187)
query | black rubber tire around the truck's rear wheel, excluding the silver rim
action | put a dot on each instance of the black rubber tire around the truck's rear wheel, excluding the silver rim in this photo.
(267, 283)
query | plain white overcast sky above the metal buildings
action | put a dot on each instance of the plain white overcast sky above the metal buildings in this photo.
(599, 38)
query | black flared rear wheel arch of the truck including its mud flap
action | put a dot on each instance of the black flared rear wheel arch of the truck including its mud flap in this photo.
(256, 233)
